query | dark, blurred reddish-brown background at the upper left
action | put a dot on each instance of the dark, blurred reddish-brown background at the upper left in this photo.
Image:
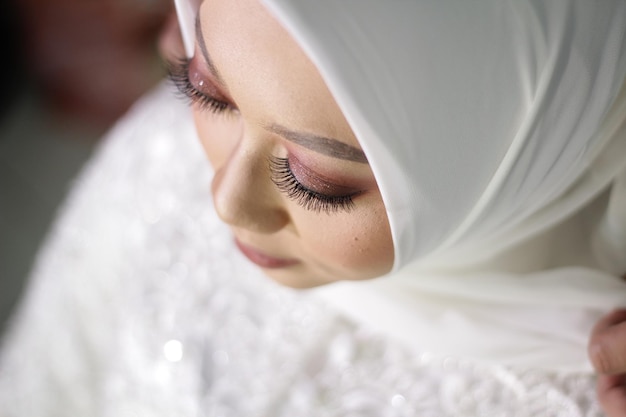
(70, 69)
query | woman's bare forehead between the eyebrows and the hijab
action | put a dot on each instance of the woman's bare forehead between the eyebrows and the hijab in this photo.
(268, 75)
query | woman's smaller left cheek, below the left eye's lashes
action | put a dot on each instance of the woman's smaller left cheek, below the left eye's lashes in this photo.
(219, 135)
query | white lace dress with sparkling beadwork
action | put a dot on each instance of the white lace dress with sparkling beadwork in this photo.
(140, 306)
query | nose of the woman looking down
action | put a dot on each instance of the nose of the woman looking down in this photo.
(242, 196)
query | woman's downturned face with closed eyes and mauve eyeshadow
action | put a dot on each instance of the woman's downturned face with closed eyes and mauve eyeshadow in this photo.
(290, 177)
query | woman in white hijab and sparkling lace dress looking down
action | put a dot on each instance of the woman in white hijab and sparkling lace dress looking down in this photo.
(460, 154)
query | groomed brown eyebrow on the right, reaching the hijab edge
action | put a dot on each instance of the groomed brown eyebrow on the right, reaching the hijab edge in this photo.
(321, 144)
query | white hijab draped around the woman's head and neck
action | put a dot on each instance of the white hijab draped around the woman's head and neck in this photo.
(496, 132)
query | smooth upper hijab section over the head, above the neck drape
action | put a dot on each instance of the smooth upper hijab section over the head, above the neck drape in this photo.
(473, 115)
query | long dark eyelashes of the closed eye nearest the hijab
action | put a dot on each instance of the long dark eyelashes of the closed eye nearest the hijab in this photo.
(287, 183)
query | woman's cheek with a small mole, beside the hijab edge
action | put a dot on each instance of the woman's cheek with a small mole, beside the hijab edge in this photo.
(354, 245)
